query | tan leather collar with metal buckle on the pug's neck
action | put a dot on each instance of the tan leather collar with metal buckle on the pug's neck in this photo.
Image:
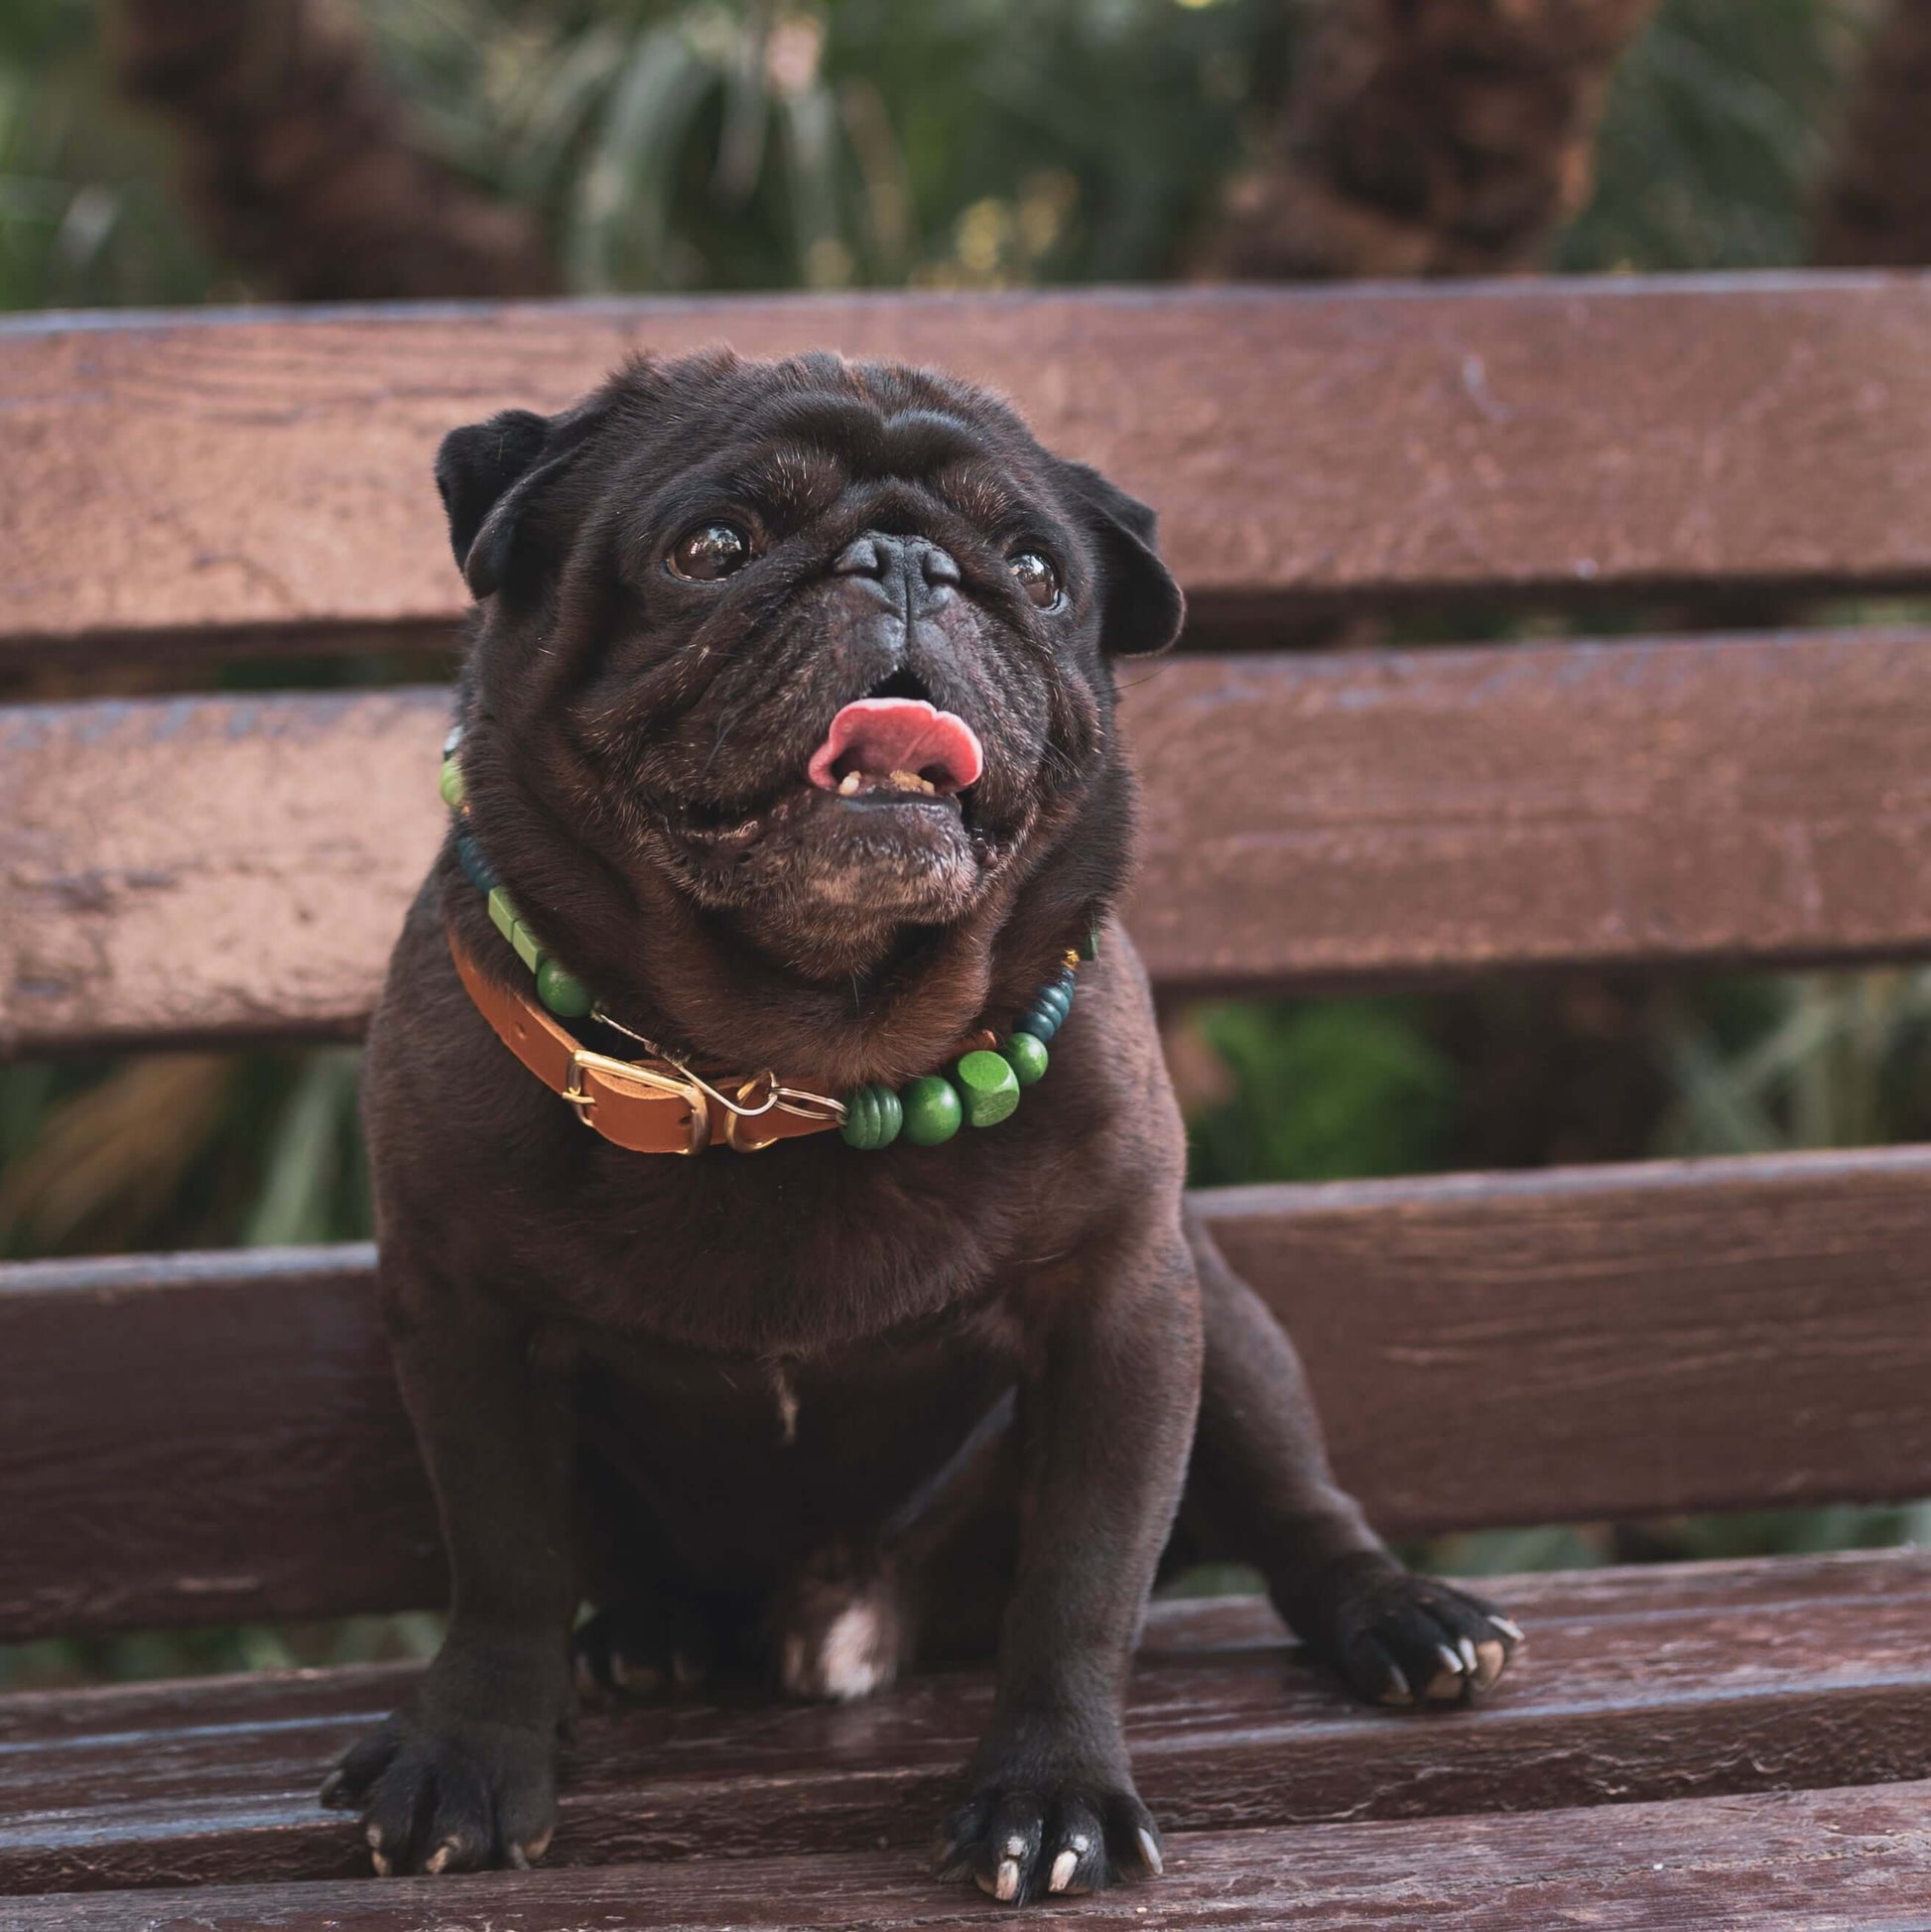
(650, 1106)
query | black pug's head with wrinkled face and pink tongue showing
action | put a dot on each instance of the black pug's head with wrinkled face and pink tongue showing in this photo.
(817, 654)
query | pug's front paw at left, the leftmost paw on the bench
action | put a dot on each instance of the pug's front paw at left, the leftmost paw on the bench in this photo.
(449, 1798)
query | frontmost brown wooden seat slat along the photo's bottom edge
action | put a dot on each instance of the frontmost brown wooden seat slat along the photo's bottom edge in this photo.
(1810, 1861)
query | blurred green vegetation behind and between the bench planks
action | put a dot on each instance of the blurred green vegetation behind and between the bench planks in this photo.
(627, 146)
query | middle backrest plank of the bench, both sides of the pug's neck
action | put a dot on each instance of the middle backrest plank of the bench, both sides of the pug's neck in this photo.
(239, 867)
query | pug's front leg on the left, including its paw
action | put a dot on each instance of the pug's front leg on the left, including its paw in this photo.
(463, 1775)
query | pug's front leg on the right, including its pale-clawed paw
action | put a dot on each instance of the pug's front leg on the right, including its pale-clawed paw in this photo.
(1109, 1413)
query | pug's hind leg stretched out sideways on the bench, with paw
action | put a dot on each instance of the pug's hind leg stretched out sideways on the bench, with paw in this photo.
(1259, 1491)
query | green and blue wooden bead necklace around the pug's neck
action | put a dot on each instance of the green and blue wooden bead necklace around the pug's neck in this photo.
(981, 1089)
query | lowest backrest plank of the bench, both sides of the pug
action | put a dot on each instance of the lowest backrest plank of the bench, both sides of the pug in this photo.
(198, 1440)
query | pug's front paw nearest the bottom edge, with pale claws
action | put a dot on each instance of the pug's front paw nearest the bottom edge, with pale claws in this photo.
(1027, 1838)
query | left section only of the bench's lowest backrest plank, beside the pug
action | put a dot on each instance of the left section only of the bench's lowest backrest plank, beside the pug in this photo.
(204, 1438)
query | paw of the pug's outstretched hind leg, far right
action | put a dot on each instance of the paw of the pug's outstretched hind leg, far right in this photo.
(1402, 1641)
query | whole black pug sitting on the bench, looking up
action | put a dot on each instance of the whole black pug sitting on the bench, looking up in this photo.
(788, 729)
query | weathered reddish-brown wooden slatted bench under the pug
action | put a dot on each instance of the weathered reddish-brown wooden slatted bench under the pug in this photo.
(214, 1438)
